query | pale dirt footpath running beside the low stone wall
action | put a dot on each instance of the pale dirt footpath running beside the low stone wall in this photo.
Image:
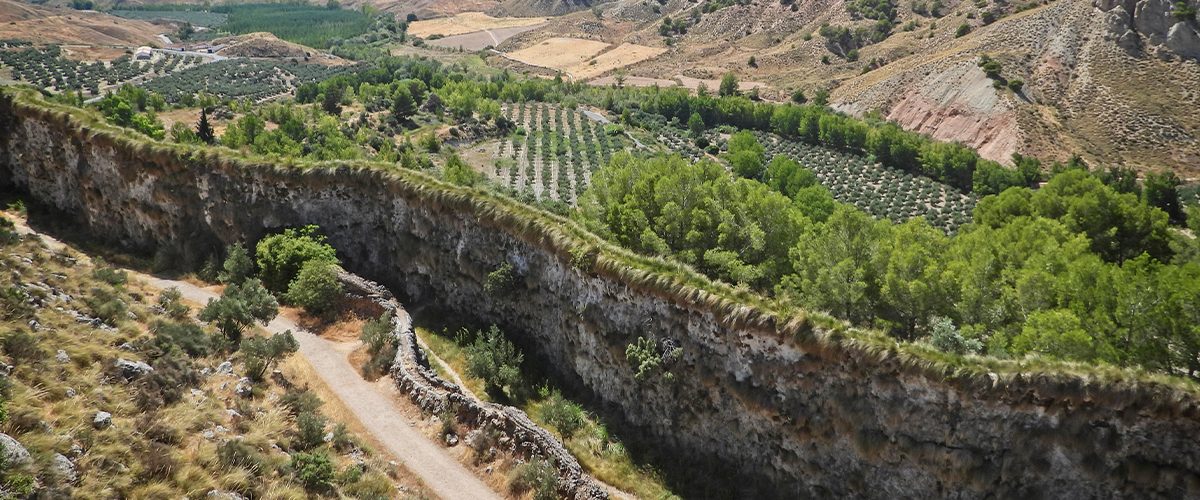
(443, 475)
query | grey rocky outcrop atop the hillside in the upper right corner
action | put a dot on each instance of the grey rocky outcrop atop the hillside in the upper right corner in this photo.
(1151, 26)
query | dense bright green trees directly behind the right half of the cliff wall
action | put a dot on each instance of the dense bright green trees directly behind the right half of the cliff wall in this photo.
(1075, 272)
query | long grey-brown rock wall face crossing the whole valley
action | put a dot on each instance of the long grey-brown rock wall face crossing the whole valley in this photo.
(755, 412)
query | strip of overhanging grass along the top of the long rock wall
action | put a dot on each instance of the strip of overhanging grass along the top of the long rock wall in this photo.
(658, 276)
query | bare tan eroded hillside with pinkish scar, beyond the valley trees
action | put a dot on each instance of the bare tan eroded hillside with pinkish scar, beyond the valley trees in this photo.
(1113, 83)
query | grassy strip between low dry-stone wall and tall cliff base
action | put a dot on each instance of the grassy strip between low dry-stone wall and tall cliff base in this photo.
(601, 454)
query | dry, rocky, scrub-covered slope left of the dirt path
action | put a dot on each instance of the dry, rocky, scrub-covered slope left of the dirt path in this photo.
(175, 431)
